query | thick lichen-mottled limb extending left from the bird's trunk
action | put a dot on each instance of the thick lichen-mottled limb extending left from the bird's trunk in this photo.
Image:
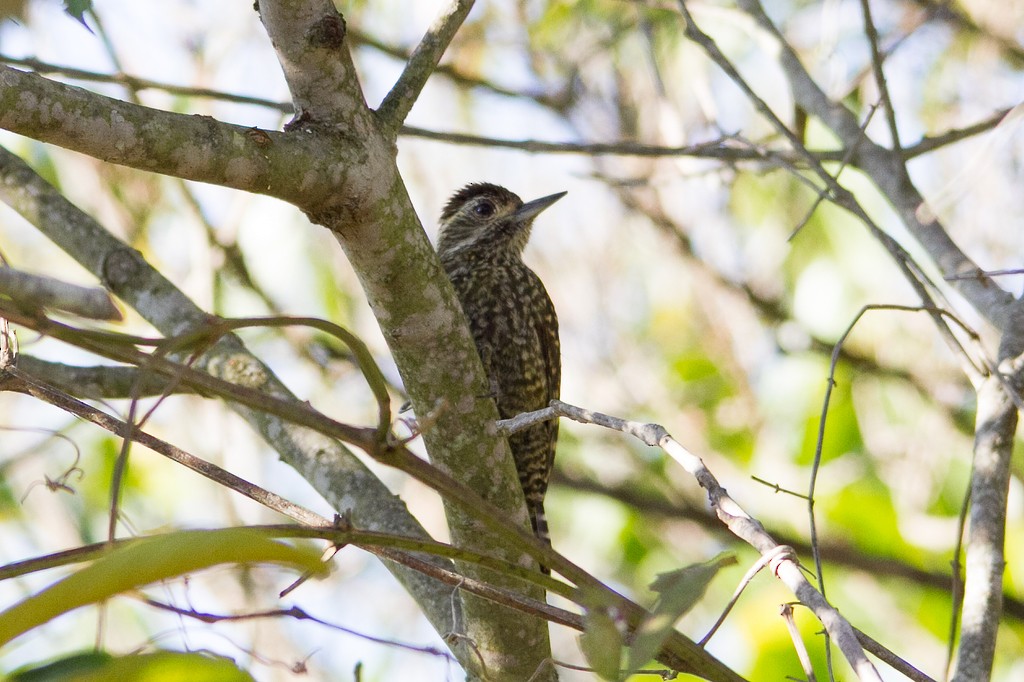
(296, 168)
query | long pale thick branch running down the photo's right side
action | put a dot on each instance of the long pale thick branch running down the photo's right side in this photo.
(999, 399)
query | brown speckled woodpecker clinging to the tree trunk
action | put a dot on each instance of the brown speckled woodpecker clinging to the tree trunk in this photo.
(484, 231)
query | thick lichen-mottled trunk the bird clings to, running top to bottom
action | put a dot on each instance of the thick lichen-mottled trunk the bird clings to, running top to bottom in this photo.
(419, 315)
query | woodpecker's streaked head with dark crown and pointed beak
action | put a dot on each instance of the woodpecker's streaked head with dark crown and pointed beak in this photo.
(489, 218)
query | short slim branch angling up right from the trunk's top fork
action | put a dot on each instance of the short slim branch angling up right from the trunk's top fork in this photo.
(421, 65)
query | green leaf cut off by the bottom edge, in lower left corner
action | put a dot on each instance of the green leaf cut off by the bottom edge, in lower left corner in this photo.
(158, 667)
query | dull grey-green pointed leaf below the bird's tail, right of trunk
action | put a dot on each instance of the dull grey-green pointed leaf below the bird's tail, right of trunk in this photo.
(678, 592)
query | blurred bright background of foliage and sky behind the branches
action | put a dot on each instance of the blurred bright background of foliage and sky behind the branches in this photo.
(686, 296)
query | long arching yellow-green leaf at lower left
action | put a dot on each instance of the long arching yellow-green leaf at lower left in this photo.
(151, 560)
